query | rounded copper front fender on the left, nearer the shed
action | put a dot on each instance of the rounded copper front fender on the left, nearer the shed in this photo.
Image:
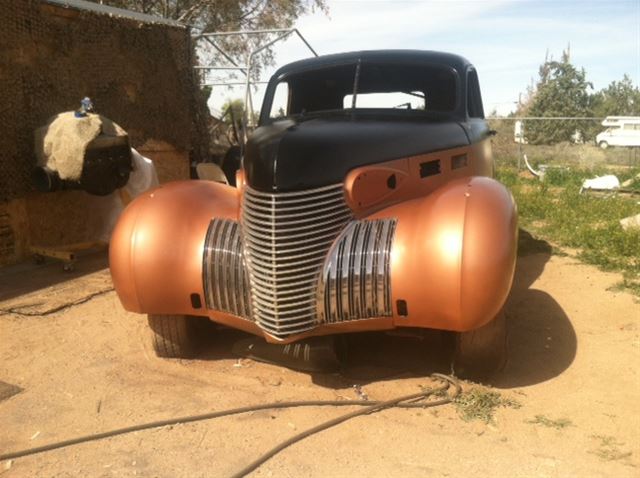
(155, 253)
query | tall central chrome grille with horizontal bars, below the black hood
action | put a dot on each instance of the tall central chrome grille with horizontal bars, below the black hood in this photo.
(286, 238)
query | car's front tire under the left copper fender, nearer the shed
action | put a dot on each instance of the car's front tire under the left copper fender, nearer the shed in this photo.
(173, 336)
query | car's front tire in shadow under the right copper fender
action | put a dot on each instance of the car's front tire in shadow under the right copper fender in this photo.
(480, 353)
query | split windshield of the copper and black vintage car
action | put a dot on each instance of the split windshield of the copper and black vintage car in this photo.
(399, 88)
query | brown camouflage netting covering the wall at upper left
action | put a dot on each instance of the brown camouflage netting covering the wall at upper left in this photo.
(137, 74)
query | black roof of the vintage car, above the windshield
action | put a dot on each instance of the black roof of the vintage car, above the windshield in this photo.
(457, 62)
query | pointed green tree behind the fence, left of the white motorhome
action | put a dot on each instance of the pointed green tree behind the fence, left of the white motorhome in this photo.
(562, 90)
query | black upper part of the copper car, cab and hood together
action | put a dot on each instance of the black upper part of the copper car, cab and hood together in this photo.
(322, 139)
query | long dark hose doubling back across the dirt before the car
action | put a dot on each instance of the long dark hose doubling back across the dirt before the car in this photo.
(408, 401)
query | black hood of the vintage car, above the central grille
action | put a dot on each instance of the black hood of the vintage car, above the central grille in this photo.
(289, 156)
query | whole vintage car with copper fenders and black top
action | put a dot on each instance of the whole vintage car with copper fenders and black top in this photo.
(365, 202)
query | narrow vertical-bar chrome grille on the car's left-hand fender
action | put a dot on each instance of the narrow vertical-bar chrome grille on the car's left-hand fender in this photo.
(226, 280)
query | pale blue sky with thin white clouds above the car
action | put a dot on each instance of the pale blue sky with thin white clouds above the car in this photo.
(505, 39)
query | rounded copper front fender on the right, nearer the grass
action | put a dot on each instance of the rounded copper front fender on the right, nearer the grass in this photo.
(453, 256)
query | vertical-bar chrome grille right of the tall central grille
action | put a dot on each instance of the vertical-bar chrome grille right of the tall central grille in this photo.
(355, 281)
